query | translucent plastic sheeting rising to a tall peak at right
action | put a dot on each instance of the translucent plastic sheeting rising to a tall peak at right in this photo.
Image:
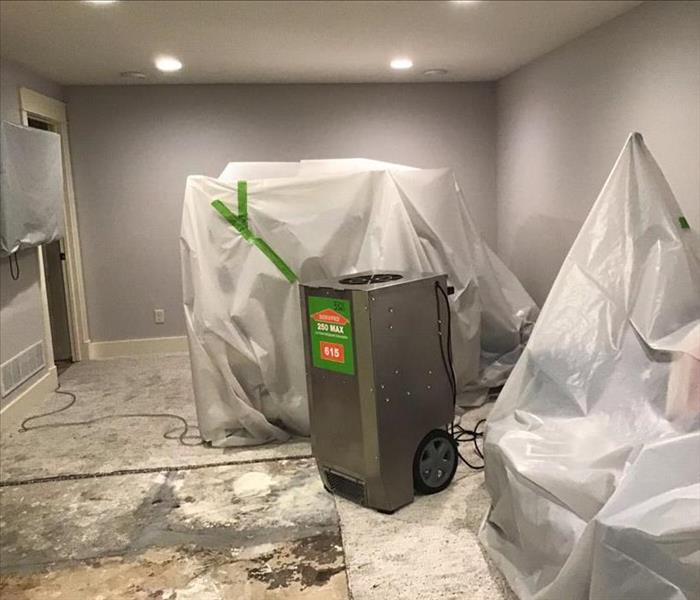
(593, 447)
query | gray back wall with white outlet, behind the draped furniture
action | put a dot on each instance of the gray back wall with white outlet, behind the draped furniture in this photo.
(133, 147)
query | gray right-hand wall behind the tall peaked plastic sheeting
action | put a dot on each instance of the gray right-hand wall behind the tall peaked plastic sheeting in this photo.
(564, 118)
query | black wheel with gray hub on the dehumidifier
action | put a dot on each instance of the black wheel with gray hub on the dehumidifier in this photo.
(435, 462)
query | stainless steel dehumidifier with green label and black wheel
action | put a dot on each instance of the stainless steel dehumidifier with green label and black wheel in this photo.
(379, 384)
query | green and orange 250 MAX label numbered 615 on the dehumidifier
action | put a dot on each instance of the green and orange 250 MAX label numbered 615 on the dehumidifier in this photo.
(331, 334)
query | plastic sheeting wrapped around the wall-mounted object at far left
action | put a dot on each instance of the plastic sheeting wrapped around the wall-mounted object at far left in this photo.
(31, 188)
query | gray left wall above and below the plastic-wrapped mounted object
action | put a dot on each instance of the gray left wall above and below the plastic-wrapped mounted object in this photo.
(21, 316)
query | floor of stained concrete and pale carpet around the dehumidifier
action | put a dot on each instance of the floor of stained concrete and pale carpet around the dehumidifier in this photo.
(115, 511)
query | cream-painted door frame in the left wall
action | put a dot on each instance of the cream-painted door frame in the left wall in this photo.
(52, 111)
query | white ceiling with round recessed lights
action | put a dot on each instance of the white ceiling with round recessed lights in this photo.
(73, 42)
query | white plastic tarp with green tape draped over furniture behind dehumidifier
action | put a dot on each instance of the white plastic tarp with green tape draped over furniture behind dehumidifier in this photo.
(339, 217)
